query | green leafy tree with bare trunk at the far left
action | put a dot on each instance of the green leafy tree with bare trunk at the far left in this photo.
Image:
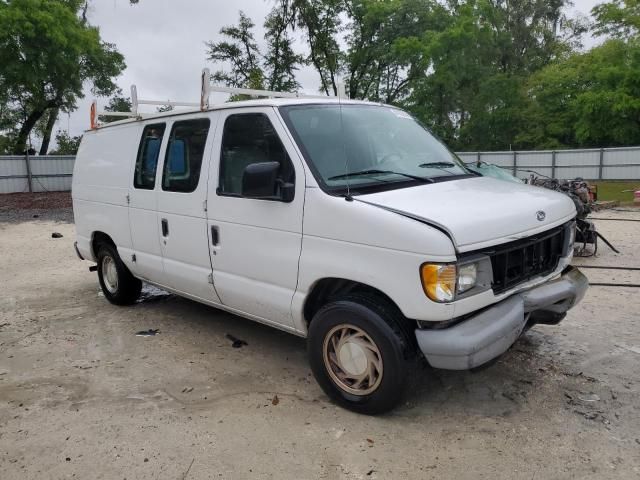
(48, 52)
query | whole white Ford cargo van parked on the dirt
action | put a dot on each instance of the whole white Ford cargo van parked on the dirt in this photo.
(342, 221)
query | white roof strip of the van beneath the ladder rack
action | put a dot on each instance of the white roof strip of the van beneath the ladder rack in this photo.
(267, 102)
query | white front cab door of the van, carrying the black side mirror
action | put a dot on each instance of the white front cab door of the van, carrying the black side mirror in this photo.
(255, 243)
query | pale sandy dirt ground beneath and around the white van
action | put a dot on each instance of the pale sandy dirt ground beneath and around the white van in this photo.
(81, 396)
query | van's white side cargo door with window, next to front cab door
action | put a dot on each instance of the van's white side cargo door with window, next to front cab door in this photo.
(182, 195)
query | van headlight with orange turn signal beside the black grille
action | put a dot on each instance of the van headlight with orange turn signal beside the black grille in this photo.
(441, 282)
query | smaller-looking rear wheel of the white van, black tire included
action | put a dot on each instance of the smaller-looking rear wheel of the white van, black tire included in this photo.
(127, 290)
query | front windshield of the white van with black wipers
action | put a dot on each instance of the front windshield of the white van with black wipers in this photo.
(363, 146)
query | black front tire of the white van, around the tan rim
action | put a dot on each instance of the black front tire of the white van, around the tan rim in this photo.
(386, 328)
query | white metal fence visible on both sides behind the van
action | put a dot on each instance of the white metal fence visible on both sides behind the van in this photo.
(53, 173)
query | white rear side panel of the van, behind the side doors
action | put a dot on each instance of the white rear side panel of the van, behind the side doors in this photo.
(100, 187)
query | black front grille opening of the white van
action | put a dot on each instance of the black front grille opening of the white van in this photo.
(516, 262)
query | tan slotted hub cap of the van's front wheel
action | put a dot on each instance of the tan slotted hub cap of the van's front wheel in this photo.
(352, 359)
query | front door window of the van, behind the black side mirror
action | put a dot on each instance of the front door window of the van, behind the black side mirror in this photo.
(249, 138)
